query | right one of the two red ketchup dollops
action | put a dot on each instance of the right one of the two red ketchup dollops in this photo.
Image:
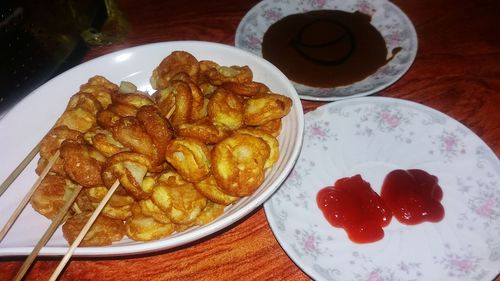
(413, 196)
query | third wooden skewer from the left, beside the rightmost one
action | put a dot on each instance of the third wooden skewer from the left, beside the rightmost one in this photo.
(48, 233)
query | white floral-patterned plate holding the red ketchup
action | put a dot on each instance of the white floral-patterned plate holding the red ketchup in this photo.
(371, 136)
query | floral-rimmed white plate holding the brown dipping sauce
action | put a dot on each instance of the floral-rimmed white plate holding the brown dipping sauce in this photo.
(390, 21)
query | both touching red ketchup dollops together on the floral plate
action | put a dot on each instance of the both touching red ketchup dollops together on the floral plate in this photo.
(412, 196)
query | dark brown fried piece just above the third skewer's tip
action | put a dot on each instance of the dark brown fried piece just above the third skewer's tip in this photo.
(82, 163)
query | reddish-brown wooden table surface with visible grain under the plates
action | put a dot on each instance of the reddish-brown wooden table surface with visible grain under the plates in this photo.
(456, 71)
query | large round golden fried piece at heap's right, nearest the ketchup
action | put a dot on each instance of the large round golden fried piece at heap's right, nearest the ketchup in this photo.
(238, 164)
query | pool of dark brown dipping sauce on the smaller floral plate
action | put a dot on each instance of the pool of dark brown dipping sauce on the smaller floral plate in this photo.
(325, 48)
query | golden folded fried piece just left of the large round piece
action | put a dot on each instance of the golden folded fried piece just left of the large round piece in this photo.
(190, 158)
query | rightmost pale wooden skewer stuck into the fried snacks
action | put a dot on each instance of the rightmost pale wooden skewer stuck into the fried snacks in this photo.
(83, 232)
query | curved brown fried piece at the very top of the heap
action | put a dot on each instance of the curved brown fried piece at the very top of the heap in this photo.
(176, 62)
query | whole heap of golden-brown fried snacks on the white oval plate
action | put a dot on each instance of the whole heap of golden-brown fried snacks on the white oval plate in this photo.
(202, 141)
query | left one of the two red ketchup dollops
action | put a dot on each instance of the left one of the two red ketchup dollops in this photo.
(352, 204)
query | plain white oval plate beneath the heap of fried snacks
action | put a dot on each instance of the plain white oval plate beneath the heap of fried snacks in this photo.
(26, 124)
